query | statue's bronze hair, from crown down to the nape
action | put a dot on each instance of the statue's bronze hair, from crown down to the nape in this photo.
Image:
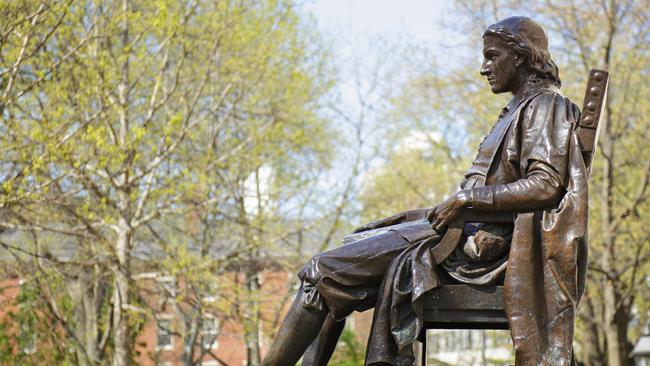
(527, 38)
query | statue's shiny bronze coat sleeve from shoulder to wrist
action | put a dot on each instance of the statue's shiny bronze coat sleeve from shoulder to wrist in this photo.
(546, 126)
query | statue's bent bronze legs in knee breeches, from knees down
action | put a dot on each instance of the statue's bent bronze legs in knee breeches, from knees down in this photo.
(353, 275)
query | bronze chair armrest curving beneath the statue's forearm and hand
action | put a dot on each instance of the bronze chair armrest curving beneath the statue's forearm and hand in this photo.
(455, 230)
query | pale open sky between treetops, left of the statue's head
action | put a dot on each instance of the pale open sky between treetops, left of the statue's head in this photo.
(366, 32)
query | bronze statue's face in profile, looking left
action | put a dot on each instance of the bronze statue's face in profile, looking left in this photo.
(500, 65)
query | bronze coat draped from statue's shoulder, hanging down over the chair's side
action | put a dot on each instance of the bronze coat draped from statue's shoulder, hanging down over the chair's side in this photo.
(545, 277)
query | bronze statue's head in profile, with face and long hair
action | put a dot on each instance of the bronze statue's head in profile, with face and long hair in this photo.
(515, 51)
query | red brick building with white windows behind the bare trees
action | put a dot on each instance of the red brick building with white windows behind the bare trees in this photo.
(219, 339)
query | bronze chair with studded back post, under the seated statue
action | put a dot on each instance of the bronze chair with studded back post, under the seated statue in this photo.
(481, 307)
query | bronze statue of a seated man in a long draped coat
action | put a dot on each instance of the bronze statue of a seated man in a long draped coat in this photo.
(529, 165)
